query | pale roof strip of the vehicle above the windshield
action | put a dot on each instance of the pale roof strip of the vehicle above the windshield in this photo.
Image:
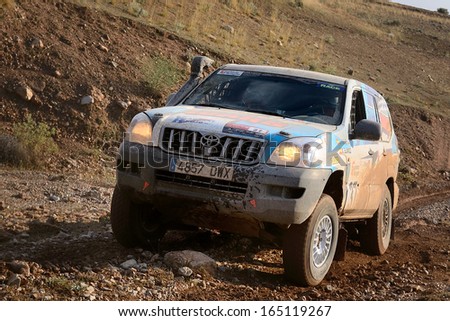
(289, 72)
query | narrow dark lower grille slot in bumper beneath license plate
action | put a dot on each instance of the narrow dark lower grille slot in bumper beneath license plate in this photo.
(204, 182)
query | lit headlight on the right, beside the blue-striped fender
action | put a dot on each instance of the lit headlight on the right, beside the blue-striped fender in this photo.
(301, 152)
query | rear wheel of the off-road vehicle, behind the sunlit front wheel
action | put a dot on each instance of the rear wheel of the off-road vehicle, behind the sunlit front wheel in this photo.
(376, 234)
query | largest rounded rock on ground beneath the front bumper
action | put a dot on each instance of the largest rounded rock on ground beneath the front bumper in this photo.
(197, 261)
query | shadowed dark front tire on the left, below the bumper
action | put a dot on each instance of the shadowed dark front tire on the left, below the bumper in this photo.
(135, 224)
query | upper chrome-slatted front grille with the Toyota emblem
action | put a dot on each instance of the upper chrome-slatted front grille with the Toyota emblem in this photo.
(210, 146)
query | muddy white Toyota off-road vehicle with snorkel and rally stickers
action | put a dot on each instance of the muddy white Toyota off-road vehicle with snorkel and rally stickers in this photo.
(283, 154)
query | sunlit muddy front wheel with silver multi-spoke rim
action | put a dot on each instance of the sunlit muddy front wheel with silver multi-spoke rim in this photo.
(307, 255)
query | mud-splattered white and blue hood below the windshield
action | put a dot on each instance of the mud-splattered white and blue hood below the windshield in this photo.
(208, 120)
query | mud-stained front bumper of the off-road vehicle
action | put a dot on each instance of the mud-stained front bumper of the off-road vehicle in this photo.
(265, 193)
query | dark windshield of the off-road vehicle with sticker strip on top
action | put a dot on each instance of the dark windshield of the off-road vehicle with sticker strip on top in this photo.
(284, 96)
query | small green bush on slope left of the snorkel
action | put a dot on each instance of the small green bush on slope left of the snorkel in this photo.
(160, 74)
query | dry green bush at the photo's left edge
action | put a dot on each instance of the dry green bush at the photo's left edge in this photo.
(31, 145)
